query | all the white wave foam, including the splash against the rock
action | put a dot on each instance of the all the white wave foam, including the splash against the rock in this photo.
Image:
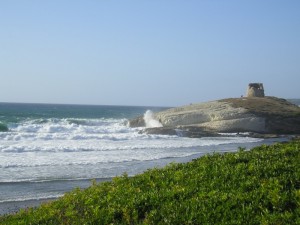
(76, 148)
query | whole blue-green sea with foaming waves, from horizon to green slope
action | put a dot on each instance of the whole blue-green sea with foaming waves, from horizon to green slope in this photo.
(47, 150)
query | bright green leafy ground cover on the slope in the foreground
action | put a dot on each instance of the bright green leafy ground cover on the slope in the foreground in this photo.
(261, 186)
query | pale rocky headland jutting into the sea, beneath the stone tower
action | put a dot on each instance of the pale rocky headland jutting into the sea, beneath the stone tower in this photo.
(255, 116)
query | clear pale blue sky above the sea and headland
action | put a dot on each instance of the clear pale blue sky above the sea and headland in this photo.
(147, 52)
